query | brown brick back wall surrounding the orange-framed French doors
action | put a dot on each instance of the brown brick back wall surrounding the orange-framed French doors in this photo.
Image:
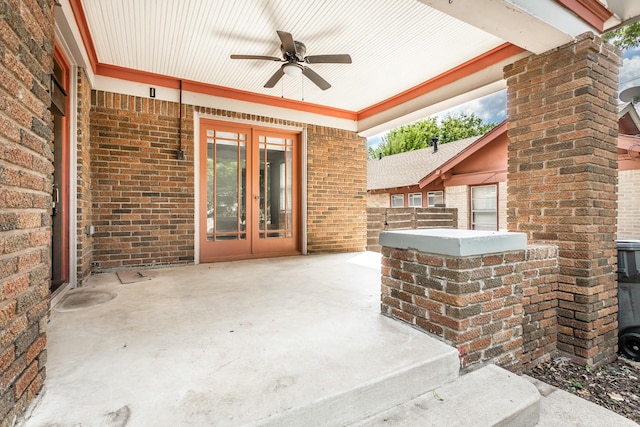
(143, 200)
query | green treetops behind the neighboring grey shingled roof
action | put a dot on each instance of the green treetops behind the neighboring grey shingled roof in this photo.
(417, 135)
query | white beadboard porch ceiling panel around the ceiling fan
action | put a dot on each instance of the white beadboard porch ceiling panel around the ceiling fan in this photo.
(394, 44)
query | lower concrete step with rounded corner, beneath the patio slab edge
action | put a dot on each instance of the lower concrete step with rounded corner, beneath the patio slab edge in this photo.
(490, 396)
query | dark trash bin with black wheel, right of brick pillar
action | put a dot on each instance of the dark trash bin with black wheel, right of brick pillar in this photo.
(629, 298)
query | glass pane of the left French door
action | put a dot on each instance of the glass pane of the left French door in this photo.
(226, 185)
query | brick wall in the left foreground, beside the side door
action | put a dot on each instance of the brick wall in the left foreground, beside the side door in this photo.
(26, 44)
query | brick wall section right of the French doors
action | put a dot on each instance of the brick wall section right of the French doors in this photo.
(336, 190)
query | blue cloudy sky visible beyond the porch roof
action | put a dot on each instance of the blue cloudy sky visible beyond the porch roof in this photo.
(493, 108)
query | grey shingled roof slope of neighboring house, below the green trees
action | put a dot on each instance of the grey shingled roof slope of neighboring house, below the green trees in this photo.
(407, 169)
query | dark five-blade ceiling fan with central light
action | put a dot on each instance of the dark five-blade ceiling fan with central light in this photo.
(293, 58)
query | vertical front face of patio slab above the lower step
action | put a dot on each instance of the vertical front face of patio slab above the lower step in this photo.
(439, 365)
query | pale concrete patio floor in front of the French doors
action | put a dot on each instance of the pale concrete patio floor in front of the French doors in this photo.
(235, 343)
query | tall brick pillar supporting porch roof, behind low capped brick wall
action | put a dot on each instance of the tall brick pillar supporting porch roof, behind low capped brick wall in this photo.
(562, 182)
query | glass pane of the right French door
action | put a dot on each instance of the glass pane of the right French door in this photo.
(275, 187)
